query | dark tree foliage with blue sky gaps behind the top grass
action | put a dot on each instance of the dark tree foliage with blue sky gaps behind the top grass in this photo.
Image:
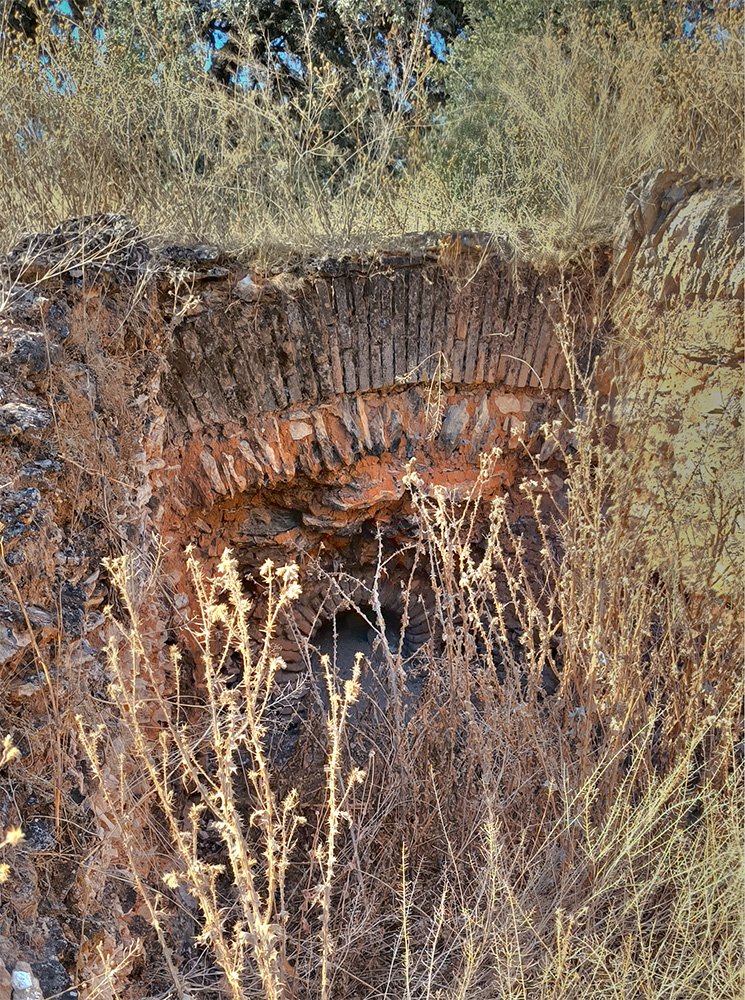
(281, 32)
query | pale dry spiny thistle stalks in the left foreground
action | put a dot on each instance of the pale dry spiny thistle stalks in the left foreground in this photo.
(216, 763)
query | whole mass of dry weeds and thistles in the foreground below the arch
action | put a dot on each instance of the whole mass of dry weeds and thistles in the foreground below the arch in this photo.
(491, 839)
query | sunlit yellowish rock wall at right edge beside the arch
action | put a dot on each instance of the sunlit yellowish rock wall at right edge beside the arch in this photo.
(680, 259)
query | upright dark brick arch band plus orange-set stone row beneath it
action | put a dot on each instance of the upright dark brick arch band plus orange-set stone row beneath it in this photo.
(308, 382)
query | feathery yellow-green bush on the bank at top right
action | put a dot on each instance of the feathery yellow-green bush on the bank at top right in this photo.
(550, 133)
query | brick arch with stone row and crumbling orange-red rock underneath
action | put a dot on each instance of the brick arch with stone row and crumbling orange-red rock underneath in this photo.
(292, 413)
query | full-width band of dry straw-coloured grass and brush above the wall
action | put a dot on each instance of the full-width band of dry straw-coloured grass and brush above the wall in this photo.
(538, 142)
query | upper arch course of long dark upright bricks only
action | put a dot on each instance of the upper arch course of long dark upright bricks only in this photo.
(330, 337)
